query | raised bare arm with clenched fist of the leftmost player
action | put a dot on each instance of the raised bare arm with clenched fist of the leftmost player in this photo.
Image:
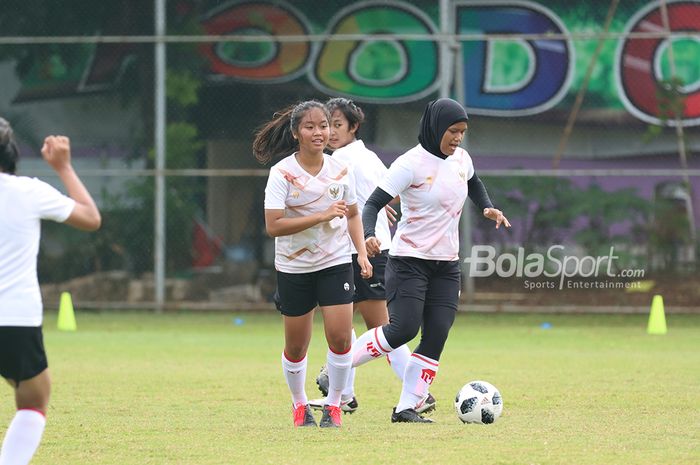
(85, 215)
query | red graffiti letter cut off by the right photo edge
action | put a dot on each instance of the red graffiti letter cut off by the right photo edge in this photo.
(642, 64)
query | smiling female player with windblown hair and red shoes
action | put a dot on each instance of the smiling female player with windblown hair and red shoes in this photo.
(311, 211)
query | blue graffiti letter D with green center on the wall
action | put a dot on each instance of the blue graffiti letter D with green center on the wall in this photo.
(512, 77)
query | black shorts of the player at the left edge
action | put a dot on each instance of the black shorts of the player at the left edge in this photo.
(22, 354)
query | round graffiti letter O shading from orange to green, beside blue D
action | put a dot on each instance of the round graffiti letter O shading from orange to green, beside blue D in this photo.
(385, 70)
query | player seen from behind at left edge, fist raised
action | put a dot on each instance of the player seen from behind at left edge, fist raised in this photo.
(23, 203)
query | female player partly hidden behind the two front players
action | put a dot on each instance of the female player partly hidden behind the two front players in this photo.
(369, 298)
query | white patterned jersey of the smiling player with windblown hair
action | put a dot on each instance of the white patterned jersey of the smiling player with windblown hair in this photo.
(292, 189)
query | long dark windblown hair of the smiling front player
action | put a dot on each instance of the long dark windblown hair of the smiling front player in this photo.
(275, 138)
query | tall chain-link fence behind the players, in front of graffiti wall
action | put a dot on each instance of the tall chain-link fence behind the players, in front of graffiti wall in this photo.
(583, 122)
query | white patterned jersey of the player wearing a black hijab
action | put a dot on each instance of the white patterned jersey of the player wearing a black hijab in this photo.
(433, 192)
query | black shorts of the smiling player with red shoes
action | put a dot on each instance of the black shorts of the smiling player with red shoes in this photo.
(299, 293)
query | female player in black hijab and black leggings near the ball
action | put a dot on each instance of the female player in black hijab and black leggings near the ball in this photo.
(433, 179)
